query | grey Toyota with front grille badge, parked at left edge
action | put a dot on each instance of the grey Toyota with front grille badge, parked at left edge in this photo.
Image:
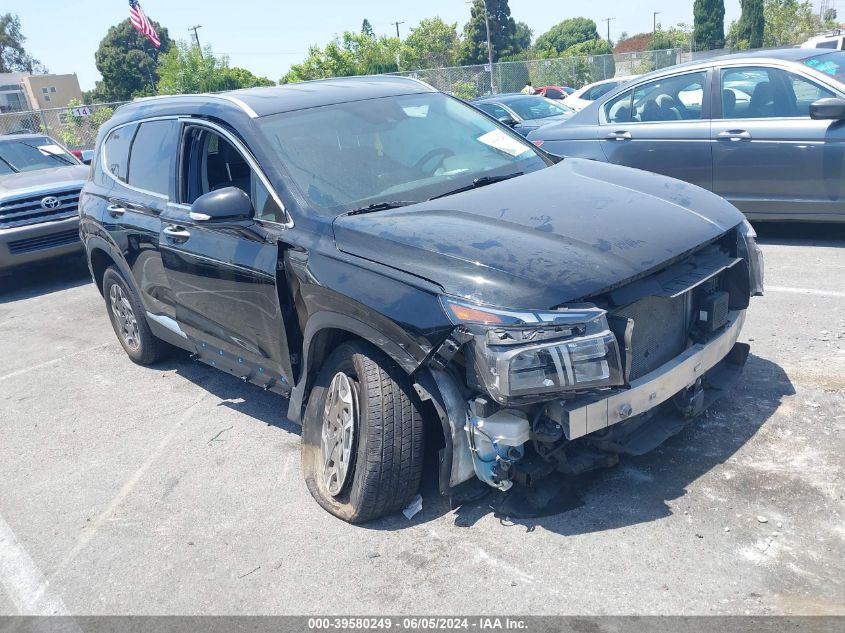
(40, 183)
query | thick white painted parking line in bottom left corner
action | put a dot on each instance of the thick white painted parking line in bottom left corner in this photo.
(21, 579)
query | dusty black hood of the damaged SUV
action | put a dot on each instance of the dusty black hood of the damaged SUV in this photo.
(556, 235)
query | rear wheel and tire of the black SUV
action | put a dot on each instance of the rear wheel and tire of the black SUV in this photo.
(128, 319)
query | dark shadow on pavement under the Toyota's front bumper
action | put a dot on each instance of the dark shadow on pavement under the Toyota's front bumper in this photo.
(44, 278)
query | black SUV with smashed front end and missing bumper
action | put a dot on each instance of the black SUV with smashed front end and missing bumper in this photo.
(393, 260)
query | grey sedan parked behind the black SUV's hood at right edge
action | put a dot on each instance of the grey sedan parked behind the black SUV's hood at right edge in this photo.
(769, 136)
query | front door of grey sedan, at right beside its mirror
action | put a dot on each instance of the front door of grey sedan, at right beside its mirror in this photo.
(770, 158)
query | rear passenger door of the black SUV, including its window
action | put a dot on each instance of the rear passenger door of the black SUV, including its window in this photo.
(140, 159)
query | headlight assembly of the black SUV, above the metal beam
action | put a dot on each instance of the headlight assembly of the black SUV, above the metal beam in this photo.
(529, 355)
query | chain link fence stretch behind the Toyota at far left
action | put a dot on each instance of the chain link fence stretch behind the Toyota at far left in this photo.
(75, 127)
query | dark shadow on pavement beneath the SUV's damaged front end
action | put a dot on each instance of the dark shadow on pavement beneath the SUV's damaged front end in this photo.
(638, 489)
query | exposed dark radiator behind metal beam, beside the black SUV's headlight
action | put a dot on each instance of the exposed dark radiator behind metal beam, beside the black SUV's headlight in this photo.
(661, 326)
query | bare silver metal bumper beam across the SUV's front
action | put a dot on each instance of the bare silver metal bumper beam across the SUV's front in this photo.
(581, 417)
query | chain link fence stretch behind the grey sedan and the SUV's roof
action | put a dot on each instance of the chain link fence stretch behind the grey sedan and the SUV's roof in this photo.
(469, 82)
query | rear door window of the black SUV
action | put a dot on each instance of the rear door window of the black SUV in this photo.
(152, 156)
